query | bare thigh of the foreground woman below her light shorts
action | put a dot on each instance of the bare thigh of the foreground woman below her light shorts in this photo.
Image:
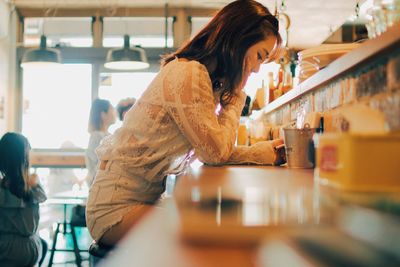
(115, 233)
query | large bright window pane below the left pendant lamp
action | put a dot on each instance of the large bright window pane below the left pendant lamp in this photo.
(56, 105)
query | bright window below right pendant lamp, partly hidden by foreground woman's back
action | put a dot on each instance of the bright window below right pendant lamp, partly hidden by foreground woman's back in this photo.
(117, 86)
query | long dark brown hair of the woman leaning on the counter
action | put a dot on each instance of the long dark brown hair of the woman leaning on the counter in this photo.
(225, 40)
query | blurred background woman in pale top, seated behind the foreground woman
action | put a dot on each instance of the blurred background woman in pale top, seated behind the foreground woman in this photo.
(102, 115)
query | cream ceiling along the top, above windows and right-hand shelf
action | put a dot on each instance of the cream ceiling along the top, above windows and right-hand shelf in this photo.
(312, 21)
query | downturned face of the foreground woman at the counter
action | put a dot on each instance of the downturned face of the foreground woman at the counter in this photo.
(257, 55)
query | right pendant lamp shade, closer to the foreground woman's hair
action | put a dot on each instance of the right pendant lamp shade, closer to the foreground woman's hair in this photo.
(126, 58)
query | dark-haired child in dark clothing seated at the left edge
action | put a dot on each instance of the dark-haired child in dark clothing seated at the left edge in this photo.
(20, 195)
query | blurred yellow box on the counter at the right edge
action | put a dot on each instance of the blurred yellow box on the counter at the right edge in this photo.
(357, 162)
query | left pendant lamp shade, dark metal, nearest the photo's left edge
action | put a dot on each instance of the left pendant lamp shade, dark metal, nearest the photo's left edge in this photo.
(41, 55)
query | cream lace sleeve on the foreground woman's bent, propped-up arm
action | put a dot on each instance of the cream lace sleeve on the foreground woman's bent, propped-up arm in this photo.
(189, 100)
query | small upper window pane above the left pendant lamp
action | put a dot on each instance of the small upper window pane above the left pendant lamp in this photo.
(59, 31)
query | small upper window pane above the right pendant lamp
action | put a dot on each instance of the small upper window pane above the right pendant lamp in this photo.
(144, 31)
